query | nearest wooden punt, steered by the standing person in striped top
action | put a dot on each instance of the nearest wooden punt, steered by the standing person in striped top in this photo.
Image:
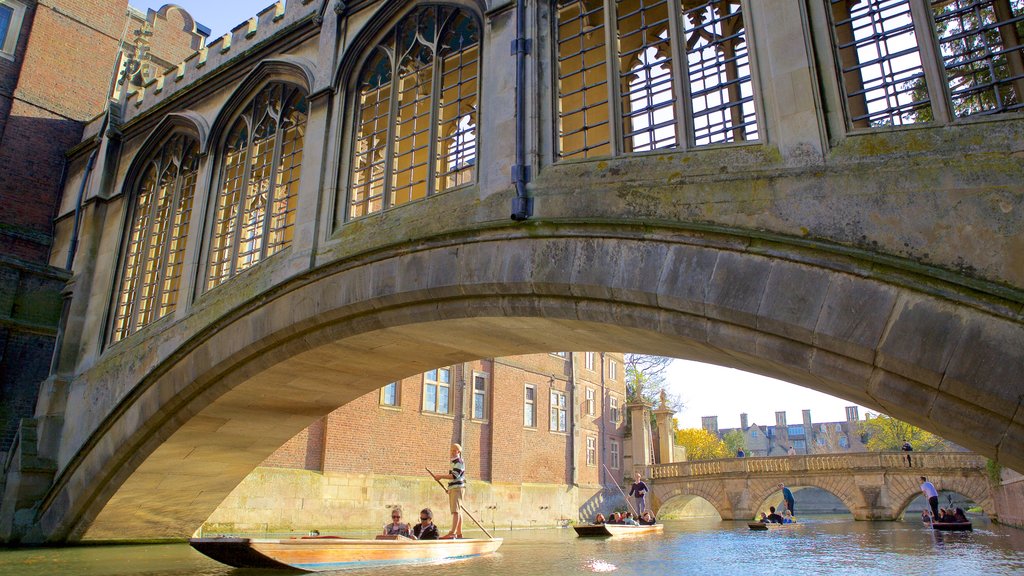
(327, 553)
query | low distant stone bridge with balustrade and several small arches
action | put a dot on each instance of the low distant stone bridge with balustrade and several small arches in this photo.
(873, 486)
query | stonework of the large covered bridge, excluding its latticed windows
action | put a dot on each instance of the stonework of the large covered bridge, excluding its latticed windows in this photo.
(806, 256)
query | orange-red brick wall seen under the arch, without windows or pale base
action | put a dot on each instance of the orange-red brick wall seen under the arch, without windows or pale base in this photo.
(366, 438)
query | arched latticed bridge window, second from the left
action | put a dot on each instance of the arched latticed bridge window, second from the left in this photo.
(260, 183)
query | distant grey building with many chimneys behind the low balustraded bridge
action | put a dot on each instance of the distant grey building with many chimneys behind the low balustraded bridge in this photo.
(806, 438)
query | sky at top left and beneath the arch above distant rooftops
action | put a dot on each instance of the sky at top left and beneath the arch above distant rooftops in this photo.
(705, 389)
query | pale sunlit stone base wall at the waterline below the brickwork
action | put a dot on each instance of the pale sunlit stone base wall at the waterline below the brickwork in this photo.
(293, 501)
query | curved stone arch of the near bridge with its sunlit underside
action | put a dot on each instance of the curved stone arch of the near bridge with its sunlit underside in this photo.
(185, 422)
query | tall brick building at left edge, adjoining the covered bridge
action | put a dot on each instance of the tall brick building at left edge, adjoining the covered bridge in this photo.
(51, 87)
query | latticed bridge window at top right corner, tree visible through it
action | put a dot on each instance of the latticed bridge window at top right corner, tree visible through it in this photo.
(890, 77)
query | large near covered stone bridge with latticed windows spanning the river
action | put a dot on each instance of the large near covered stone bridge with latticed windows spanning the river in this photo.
(318, 203)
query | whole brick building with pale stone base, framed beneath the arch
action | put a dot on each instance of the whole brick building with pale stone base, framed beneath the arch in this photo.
(537, 431)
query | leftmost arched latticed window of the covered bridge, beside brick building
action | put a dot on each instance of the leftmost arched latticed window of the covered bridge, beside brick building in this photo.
(162, 212)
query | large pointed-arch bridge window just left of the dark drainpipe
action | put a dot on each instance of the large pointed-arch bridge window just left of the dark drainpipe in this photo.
(416, 111)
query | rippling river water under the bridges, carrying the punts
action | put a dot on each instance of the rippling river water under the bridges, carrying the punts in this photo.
(818, 546)
